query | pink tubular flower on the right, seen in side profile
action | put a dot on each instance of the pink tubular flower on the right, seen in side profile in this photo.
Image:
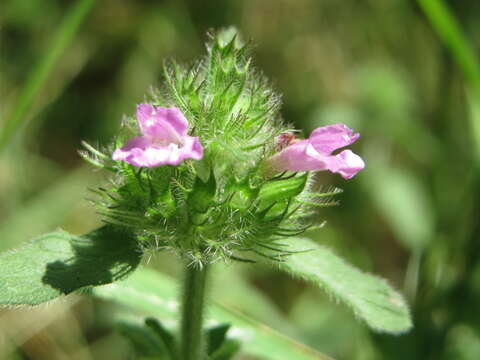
(315, 153)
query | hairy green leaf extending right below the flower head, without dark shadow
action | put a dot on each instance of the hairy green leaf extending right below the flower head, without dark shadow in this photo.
(370, 297)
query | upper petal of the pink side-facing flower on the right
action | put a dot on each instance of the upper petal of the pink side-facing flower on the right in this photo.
(329, 138)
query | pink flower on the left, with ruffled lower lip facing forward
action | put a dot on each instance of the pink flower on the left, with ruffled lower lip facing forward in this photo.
(164, 141)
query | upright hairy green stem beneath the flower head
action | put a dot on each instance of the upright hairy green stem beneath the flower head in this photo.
(191, 346)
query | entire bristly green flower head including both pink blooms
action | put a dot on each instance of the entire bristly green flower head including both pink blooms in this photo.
(208, 170)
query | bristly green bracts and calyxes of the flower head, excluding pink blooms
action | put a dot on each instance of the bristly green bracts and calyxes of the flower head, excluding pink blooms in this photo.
(229, 201)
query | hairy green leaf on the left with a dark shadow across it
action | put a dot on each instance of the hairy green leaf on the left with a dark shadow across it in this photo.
(59, 263)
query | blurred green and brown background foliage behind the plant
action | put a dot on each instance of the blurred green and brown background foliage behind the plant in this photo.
(70, 70)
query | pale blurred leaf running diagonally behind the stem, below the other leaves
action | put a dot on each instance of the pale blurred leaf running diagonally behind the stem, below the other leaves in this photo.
(156, 294)
